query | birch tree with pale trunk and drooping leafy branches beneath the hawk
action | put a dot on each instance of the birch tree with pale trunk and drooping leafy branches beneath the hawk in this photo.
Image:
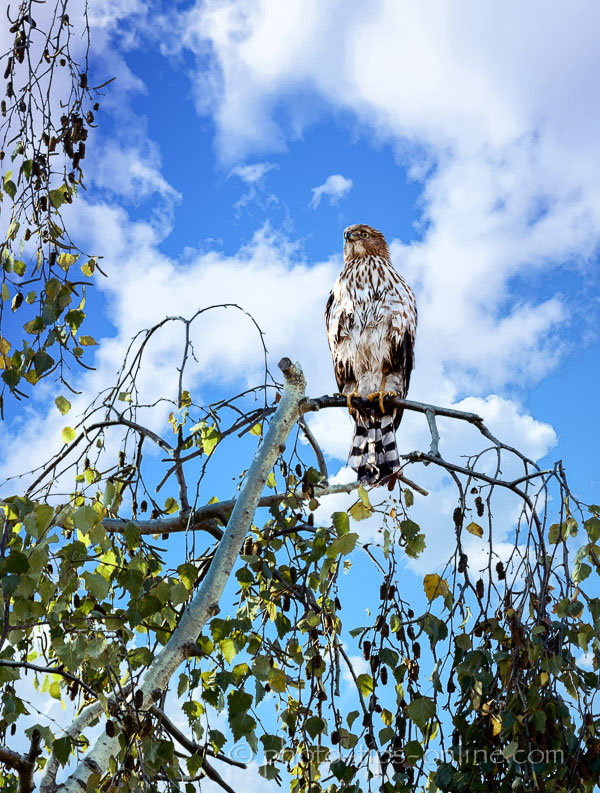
(176, 627)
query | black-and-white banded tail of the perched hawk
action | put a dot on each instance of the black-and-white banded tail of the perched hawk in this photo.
(374, 454)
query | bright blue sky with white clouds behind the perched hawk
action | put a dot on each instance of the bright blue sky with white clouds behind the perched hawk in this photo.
(469, 135)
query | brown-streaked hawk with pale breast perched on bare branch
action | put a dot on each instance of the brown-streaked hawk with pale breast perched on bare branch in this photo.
(371, 319)
